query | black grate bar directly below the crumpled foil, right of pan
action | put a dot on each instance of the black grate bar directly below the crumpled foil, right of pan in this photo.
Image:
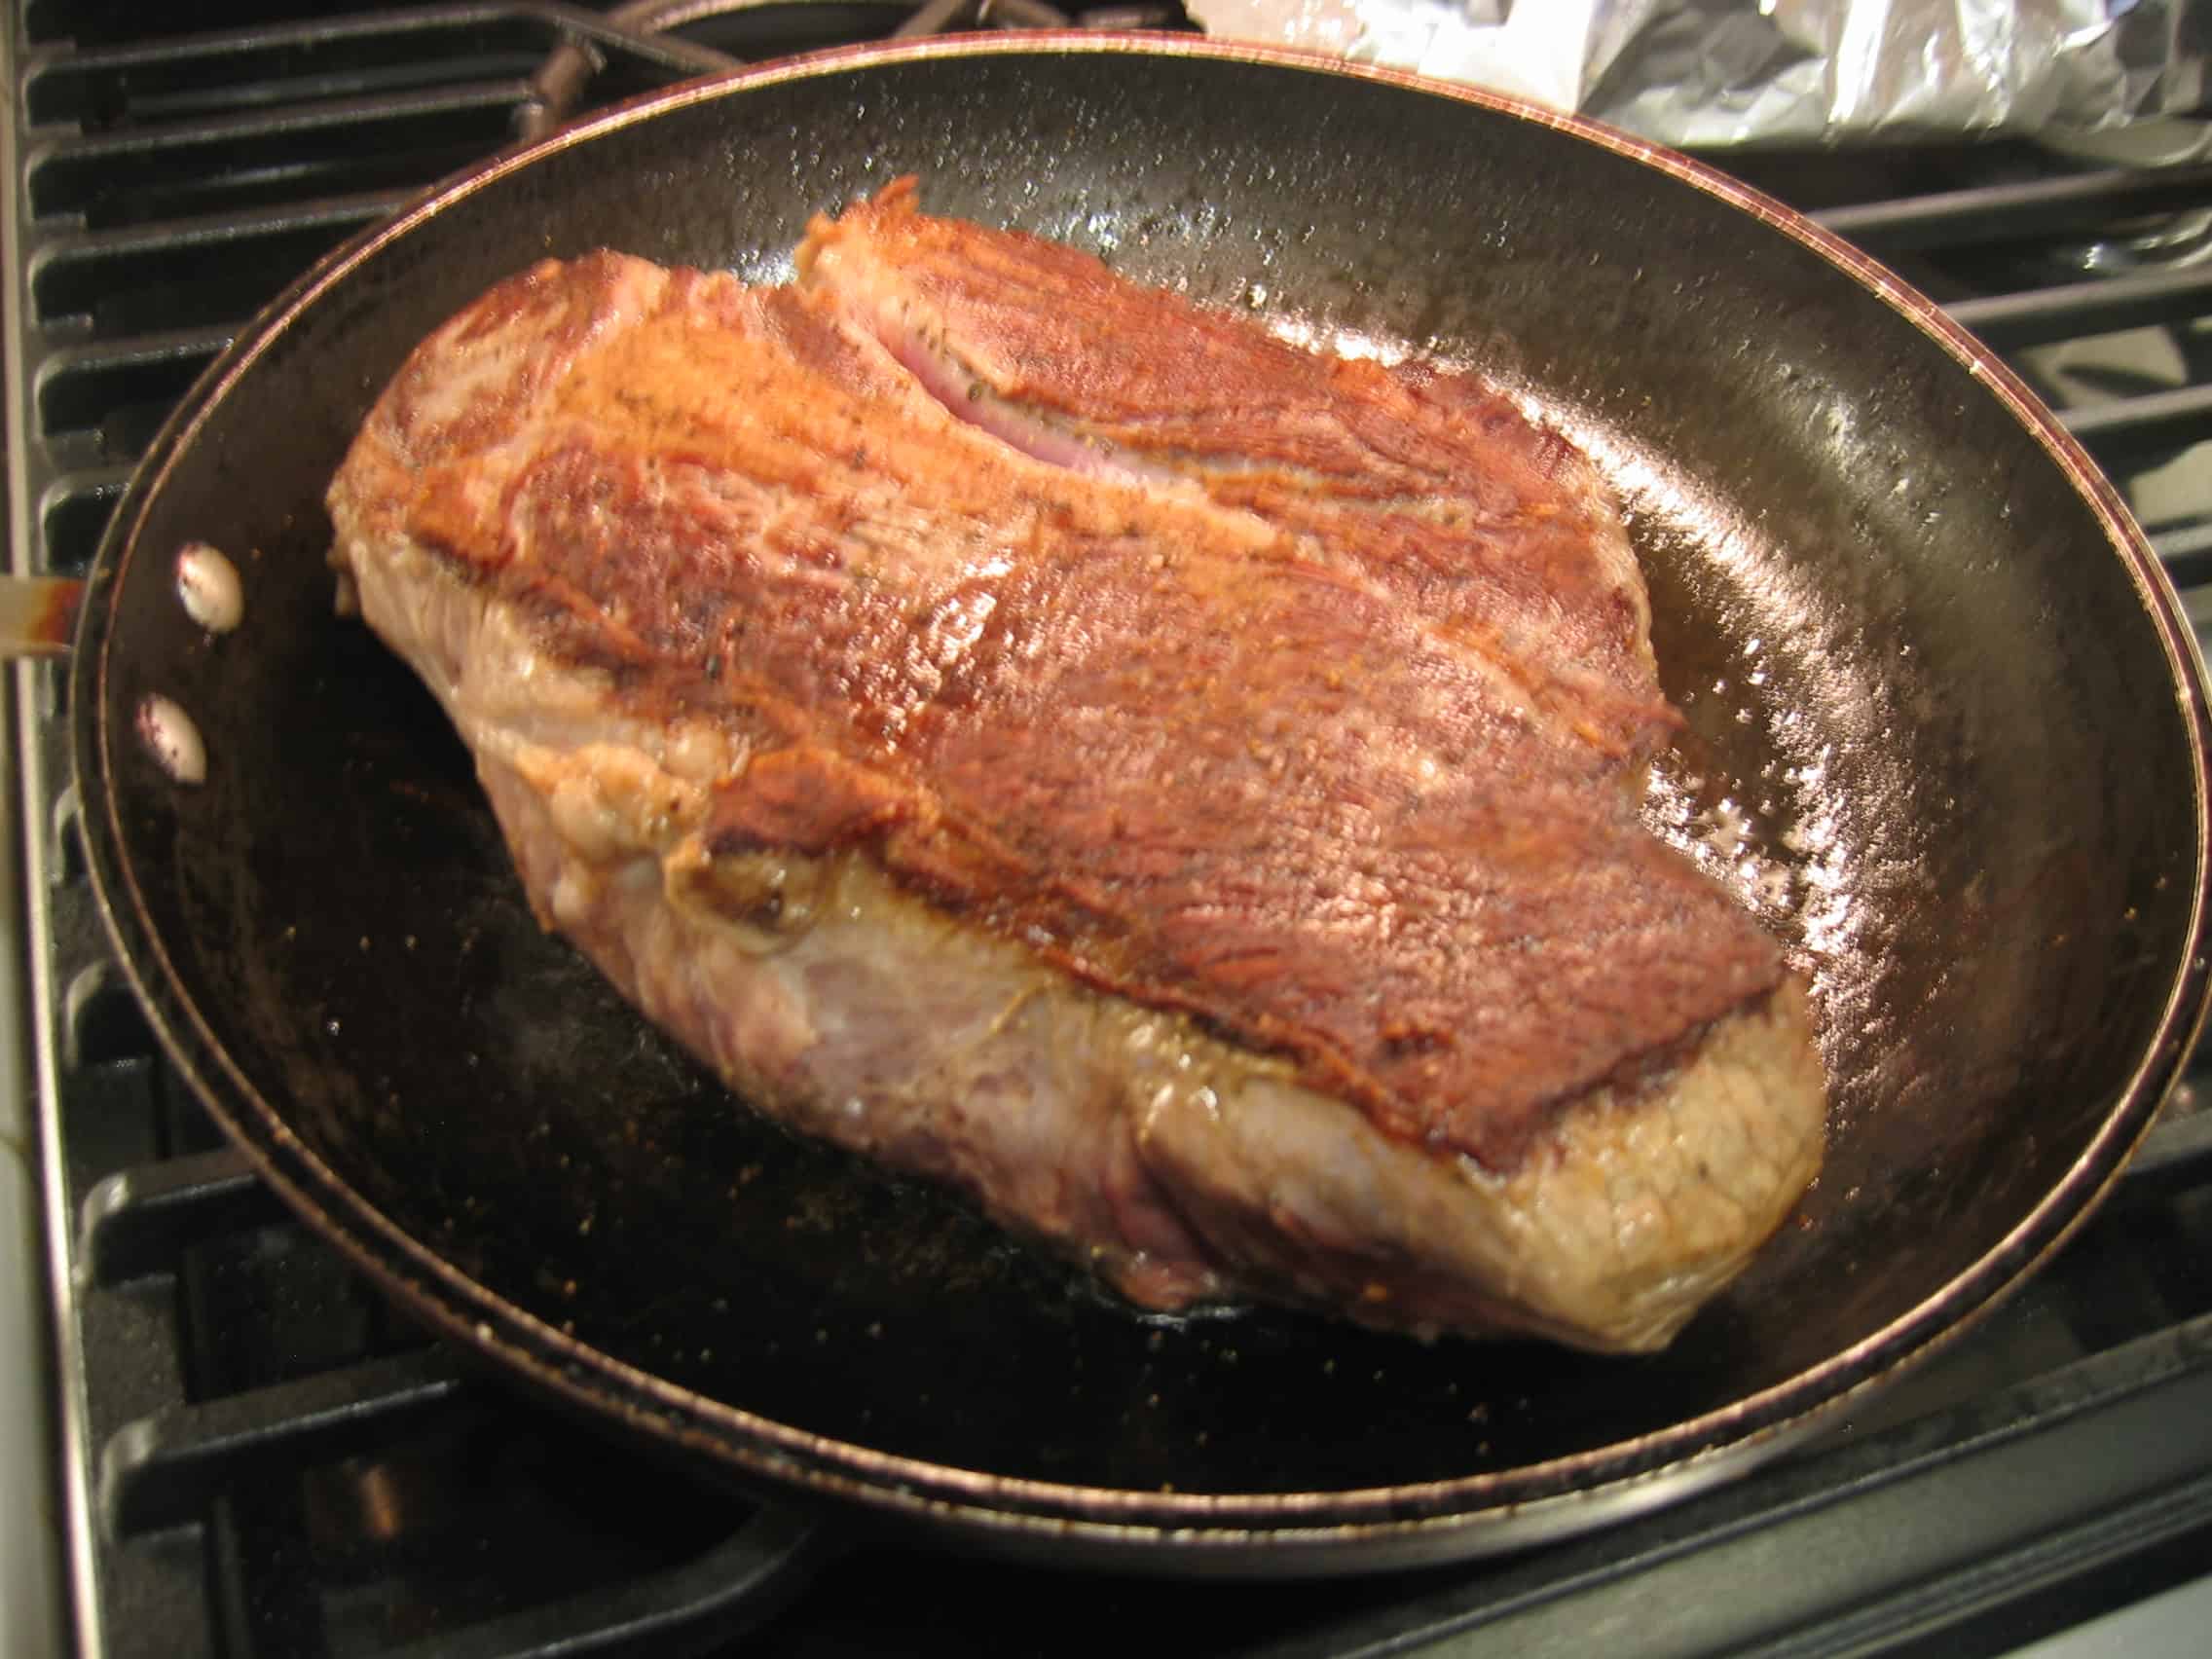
(1999, 213)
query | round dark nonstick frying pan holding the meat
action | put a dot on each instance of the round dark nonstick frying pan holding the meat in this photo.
(1948, 733)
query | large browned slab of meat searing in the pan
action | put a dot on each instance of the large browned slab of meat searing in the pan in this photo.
(1058, 740)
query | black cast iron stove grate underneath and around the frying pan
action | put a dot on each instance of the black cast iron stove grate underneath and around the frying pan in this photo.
(264, 1461)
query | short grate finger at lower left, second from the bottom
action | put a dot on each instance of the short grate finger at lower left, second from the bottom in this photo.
(143, 1220)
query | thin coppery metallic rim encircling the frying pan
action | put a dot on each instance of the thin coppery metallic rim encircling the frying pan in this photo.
(1419, 1521)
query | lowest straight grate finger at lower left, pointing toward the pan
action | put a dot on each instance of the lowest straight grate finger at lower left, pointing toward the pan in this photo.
(169, 1468)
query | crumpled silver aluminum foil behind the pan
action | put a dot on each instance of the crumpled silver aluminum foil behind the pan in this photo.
(1718, 74)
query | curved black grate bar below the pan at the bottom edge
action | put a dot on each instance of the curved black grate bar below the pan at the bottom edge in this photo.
(693, 1609)
